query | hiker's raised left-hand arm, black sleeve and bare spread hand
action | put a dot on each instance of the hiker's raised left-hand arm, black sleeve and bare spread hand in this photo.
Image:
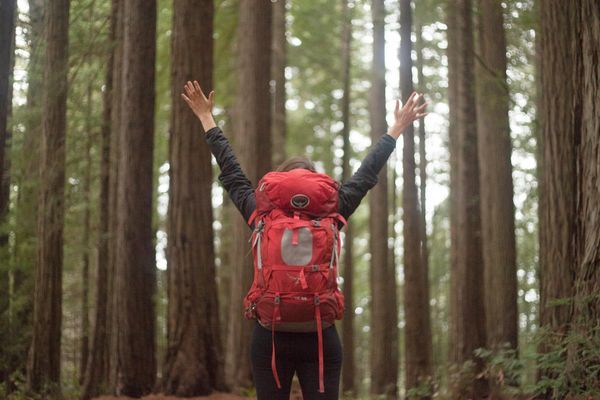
(232, 177)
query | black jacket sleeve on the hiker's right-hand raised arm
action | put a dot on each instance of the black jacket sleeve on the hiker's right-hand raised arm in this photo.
(352, 192)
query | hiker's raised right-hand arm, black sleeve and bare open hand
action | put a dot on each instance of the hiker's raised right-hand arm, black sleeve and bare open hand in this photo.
(352, 192)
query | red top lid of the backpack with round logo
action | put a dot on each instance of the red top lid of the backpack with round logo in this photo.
(300, 190)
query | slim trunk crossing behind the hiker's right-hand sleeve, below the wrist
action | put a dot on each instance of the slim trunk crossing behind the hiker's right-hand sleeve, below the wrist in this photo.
(384, 368)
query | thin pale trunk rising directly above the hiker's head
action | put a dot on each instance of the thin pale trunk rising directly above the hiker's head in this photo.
(278, 75)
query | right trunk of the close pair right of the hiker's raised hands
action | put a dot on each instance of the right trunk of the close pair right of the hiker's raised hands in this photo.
(497, 207)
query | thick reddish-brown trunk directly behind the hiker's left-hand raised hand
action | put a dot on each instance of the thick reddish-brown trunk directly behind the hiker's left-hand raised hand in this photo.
(193, 363)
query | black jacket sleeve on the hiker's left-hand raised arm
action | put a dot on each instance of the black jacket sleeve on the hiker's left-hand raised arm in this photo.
(232, 177)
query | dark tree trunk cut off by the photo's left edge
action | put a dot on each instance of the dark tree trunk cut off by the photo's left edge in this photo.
(7, 59)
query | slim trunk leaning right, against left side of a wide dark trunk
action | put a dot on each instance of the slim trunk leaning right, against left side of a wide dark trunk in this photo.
(96, 373)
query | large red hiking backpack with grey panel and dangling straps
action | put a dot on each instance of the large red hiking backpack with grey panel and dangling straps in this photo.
(296, 248)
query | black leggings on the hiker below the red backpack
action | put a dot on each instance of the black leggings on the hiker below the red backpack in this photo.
(295, 353)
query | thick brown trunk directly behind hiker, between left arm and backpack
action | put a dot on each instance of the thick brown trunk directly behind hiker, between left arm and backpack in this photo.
(252, 130)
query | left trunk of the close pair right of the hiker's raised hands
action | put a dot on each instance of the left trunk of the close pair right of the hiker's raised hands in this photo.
(468, 316)
